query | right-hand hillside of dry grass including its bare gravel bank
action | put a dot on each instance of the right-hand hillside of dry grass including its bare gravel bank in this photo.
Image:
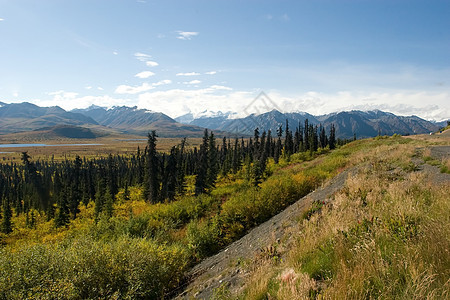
(352, 238)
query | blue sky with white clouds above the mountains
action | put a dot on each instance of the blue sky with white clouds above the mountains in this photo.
(178, 57)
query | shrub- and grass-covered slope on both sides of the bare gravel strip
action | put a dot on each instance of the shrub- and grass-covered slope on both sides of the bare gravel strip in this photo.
(384, 235)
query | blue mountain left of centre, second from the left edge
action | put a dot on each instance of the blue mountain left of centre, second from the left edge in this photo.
(139, 121)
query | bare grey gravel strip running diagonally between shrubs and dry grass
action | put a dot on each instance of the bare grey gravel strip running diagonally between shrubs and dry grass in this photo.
(228, 266)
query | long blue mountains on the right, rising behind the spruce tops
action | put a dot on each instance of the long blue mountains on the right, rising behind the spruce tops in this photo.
(363, 124)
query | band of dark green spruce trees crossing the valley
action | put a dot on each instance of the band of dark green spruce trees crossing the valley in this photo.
(57, 189)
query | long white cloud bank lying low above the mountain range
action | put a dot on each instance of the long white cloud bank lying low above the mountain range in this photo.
(175, 102)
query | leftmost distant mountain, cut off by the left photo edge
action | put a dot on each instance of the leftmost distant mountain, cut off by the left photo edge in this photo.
(19, 117)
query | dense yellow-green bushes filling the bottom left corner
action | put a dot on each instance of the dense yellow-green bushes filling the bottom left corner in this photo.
(89, 269)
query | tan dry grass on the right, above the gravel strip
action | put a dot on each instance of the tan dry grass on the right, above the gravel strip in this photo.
(386, 235)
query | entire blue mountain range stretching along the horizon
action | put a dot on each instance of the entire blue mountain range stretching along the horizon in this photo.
(22, 117)
